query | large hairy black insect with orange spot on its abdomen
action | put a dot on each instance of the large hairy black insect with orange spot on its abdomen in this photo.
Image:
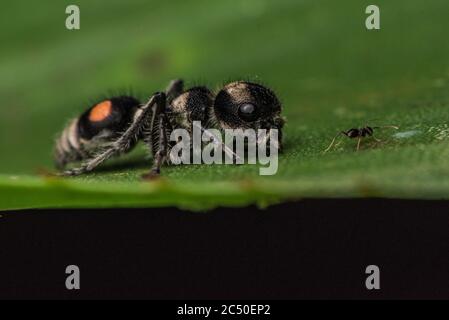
(114, 126)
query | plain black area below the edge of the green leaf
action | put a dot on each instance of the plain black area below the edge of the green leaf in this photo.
(309, 249)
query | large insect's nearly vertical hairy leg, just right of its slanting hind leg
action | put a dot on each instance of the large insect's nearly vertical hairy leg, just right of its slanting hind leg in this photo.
(158, 129)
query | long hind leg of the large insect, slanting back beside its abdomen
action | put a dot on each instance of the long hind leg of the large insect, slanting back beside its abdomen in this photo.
(123, 143)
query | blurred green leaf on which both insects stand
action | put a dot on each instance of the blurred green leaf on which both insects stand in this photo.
(329, 71)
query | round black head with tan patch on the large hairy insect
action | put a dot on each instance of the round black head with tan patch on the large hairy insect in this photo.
(247, 105)
